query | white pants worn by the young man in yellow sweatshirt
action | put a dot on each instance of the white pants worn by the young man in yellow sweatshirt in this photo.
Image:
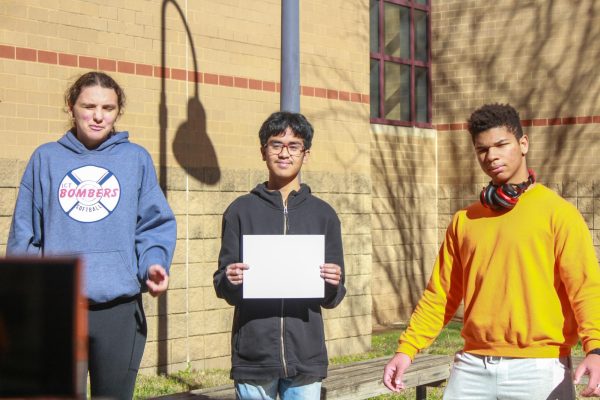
(475, 377)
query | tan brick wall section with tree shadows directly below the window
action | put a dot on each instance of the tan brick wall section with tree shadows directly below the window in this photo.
(404, 218)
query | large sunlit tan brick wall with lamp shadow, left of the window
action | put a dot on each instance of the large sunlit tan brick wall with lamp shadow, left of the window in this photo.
(211, 146)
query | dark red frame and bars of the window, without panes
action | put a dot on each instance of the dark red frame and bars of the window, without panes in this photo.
(411, 62)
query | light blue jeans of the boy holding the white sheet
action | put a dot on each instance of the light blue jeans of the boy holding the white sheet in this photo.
(299, 387)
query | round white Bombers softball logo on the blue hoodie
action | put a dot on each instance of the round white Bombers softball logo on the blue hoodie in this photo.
(89, 194)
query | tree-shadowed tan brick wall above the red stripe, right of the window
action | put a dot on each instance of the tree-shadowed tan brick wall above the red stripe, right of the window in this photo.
(540, 56)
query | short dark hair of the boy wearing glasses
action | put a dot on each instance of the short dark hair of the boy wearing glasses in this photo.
(279, 121)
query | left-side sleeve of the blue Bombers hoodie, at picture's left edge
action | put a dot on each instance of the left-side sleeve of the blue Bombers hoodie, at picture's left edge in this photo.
(26, 231)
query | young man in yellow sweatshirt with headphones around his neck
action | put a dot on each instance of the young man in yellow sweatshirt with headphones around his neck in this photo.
(523, 262)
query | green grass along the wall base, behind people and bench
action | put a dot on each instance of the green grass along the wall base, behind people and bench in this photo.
(382, 344)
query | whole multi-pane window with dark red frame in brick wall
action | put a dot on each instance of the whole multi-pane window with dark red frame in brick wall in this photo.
(400, 62)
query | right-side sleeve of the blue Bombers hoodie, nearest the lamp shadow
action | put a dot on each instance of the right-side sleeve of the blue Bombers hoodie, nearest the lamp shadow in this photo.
(156, 229)
